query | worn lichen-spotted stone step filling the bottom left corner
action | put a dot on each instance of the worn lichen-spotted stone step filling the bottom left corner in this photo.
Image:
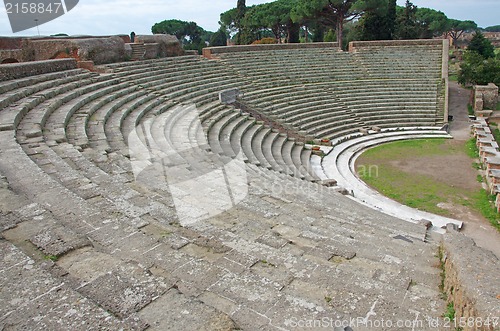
(35, 297)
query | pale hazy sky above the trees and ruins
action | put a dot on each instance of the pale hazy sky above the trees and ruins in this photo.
(97, 17)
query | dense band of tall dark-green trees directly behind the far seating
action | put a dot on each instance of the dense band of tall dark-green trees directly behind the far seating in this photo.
(294, 21)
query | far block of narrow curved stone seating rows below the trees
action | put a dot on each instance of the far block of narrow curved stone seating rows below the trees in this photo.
(329, 94)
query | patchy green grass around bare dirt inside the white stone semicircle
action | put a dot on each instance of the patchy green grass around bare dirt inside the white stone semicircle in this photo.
(421, 191)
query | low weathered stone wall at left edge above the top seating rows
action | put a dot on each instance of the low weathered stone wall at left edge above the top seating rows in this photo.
(20, 70)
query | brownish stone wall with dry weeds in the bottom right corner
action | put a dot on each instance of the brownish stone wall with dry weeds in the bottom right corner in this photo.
(471, 281)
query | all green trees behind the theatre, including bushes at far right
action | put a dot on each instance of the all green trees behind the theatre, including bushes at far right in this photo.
(294, 21)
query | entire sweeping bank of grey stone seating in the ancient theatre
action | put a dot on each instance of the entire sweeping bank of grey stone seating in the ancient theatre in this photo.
(136, 200)
